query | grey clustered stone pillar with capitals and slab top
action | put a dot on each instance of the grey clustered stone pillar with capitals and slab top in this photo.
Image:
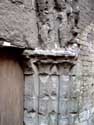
(48, 89)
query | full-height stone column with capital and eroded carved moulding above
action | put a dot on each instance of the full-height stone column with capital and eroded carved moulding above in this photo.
(48, 87)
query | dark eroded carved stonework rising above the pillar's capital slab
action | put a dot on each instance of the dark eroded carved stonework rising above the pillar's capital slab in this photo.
(58, 22)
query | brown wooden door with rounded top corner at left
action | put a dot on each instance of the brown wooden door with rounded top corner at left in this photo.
(11, 92)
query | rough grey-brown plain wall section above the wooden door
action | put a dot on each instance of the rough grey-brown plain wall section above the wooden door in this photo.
(18, 23)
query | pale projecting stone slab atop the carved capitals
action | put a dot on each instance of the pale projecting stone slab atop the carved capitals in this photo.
(51, 56)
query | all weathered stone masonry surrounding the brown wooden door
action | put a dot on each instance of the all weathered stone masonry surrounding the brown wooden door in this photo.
(58, 41)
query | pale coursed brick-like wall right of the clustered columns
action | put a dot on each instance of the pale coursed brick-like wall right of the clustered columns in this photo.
(83, 72)
